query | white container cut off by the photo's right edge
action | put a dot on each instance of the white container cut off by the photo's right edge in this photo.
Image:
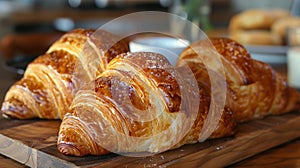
(293, 60)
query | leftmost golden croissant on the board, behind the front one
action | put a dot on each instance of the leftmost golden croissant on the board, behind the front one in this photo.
(51, 80)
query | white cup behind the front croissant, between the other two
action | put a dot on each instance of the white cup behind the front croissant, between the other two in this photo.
(169, 47)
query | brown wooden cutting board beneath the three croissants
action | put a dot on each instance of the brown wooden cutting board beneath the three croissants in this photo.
(33, 142)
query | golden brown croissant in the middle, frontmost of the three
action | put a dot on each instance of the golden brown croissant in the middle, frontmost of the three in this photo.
(137, 105)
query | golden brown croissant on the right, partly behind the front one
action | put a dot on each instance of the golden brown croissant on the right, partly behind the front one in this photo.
(254, 88)
